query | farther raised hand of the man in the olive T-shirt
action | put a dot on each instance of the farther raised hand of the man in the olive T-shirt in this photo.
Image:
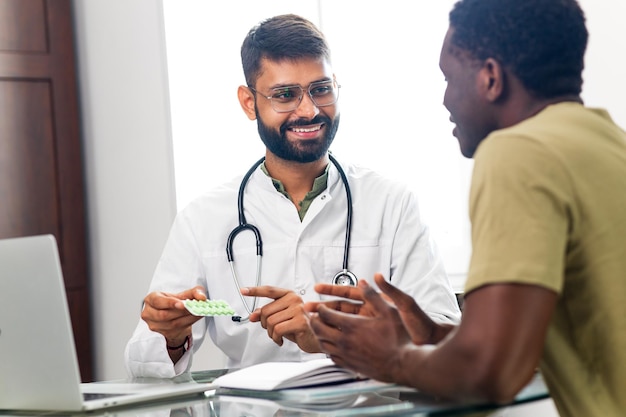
(421, 328)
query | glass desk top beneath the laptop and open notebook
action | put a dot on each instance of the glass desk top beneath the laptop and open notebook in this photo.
(353, 399)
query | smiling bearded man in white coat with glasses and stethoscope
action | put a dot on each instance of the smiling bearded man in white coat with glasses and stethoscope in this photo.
(299, 203)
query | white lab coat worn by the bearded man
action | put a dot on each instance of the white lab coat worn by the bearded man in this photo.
(387, 237)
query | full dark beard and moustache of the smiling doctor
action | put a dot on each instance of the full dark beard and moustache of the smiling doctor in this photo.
(303, 152)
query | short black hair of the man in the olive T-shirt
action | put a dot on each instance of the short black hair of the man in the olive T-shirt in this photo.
(542, 42)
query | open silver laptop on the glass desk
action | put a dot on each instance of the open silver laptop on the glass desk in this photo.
(38, 363)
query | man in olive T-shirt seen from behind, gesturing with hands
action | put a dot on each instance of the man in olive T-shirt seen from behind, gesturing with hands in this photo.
(547, 278)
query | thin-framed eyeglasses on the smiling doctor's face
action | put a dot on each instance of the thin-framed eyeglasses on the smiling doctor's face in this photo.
(288, 98)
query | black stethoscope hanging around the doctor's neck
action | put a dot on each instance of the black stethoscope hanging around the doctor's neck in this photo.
(343, 277)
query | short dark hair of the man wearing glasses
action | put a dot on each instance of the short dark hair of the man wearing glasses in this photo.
(284, 37)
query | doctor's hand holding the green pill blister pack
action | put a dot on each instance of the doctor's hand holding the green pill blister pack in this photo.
(165, 313)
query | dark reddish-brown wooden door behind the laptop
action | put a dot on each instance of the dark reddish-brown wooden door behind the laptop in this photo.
(41, 176)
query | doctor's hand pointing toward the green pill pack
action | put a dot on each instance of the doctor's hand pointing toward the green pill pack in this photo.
(284, 317)
